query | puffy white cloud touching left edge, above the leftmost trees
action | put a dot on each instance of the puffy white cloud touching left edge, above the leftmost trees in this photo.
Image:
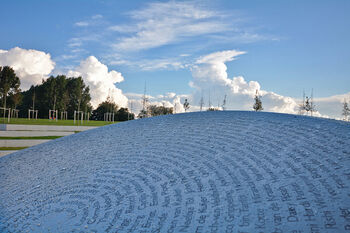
(30, 65)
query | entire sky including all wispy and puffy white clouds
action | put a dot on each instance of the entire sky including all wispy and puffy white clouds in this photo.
(186, 49)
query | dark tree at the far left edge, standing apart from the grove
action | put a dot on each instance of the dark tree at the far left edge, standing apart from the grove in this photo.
(9, 83)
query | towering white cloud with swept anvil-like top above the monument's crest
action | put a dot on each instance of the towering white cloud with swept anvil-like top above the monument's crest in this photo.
(210, 77)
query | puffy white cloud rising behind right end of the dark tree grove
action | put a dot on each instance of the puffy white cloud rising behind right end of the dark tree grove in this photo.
(101, 81)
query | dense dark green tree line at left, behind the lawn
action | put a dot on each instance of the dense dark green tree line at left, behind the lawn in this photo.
(59, 92)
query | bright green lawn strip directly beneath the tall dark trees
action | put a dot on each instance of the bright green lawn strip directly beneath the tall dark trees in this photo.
(25, 121)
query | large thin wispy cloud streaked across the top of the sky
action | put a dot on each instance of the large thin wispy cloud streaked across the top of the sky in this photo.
(169, 23)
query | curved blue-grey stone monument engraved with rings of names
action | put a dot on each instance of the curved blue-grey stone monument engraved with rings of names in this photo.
(195, 172)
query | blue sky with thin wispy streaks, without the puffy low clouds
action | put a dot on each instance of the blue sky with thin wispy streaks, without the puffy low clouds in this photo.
(289, 45)
